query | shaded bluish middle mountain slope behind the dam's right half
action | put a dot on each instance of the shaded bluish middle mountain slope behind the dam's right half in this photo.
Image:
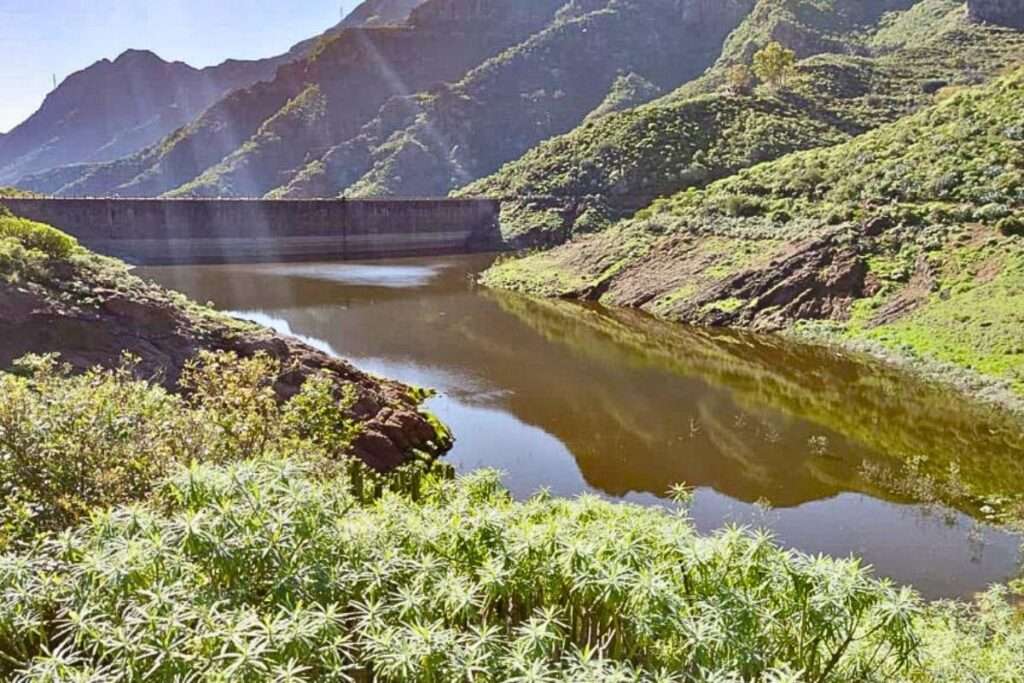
(544, 87)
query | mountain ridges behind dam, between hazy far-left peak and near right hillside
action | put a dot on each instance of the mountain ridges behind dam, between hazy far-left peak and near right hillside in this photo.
(552, 101)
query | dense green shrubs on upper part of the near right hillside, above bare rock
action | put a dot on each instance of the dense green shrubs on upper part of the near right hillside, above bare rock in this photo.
(954, 162)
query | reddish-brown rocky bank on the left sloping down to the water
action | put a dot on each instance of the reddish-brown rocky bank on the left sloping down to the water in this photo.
(92, 315)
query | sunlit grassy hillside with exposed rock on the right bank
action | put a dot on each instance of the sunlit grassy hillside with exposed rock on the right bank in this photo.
(909, 238)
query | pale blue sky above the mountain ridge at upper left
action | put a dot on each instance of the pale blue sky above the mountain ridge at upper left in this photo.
(40, 38)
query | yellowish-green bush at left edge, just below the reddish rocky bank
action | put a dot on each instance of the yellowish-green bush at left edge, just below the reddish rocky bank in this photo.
(70, 445)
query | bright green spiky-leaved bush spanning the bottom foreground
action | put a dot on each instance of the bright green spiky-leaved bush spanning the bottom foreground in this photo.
(262, 570)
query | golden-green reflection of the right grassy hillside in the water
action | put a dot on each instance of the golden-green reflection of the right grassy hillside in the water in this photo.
(874, 406)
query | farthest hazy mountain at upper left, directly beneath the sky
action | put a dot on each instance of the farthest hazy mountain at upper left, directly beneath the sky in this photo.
(115, 109)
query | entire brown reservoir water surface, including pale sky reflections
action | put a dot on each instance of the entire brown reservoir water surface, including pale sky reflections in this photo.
(583, 400)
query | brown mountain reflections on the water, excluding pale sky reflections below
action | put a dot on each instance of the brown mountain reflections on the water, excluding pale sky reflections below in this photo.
(641, 405)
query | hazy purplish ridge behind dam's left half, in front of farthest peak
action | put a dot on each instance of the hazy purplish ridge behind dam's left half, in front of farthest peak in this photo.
(247, 143)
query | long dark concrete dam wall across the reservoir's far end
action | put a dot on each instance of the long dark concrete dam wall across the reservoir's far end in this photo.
(156, 232)
